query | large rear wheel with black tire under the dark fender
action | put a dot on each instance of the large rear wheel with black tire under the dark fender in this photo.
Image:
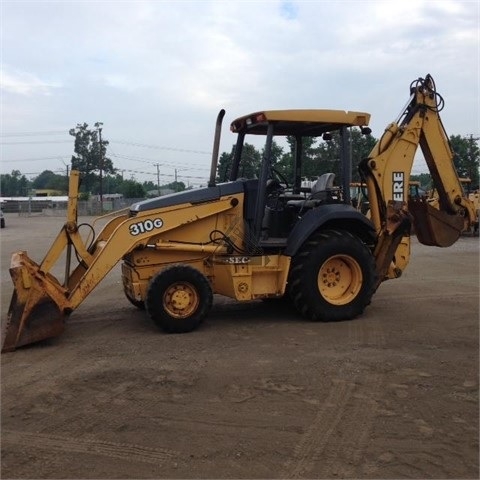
(333, 277)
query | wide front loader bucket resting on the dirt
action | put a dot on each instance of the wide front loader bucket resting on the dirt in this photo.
(33, 314)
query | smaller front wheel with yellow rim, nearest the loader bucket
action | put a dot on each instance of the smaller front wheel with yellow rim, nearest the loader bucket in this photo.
(179, 298)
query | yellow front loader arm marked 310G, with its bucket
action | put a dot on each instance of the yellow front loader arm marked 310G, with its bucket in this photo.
(41, 303)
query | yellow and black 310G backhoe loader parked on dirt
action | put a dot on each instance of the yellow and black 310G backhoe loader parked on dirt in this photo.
(258, 238)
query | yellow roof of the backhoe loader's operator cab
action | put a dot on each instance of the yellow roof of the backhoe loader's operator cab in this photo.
(298, 122)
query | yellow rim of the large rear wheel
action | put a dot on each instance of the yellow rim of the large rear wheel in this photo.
(340, 279)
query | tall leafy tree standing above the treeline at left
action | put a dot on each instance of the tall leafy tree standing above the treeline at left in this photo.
(90, 153)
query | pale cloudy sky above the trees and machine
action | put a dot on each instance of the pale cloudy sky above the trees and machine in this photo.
(156, 73)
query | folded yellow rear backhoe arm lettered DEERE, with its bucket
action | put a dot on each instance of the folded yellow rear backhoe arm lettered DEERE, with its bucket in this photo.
(387, 173)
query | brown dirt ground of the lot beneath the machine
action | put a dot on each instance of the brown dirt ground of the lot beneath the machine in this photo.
(256, 392)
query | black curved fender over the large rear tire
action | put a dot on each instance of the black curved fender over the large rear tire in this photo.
(336, 215)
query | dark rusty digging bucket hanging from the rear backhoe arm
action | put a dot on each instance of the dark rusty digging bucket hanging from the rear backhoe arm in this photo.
(434, 227)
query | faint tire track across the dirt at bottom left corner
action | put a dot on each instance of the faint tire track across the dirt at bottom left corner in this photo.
(56, 443)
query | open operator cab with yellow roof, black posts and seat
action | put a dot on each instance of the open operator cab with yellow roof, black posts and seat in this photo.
(284, 193)
